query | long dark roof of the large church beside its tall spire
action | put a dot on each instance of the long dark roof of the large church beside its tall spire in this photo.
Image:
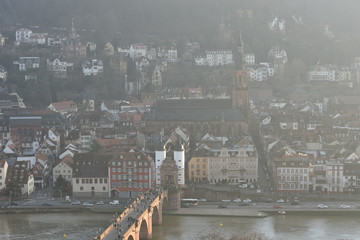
(190, 110)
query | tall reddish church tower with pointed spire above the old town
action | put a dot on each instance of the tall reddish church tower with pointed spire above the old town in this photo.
(240, 89)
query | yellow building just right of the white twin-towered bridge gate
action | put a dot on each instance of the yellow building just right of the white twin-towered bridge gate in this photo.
(198, 166)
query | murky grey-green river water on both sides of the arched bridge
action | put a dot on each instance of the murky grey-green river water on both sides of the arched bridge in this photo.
(81, 226)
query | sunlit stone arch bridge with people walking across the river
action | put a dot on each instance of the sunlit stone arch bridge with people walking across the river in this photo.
(135, 222)
